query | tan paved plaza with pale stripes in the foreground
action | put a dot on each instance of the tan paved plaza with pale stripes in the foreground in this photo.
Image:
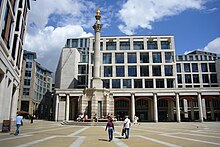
(53, 134)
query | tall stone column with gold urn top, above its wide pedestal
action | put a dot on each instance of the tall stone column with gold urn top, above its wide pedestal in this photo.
(96, 81)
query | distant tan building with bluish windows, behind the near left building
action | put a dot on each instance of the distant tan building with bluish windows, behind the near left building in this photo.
(35, 86)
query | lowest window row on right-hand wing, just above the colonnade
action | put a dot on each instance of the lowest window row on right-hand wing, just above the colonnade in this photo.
(206, 78)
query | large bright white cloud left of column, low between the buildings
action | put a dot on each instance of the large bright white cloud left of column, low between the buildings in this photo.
(49, 41)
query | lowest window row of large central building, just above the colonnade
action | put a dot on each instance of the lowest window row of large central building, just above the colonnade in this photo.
(138, 83)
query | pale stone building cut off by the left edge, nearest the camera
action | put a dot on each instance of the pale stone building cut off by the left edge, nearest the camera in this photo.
(13, 18)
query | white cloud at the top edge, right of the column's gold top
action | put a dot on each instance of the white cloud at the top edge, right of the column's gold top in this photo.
(142, 13)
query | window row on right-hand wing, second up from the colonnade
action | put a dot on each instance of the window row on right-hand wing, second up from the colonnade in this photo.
(194, 67)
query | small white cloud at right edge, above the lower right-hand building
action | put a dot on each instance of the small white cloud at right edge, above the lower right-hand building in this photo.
(213, 46)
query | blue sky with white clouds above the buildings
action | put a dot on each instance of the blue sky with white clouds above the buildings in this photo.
(195, 24)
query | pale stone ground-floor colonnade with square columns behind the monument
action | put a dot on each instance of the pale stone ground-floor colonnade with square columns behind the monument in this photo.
(62, 111)
